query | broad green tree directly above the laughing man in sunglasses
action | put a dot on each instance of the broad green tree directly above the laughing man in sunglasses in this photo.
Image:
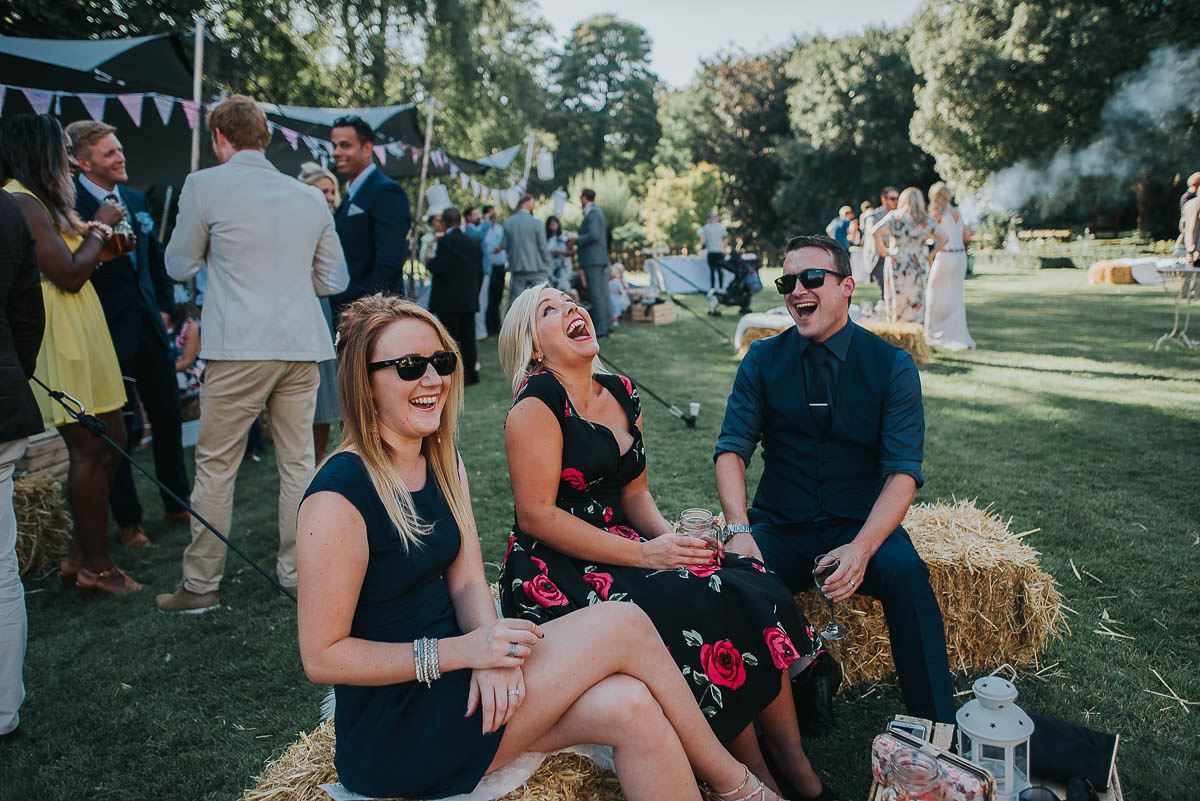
(850, 107)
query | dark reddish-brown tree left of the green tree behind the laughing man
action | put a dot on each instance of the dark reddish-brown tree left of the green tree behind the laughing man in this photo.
(745, 118)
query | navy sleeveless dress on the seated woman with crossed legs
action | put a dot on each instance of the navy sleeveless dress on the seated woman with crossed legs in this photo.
(405, 740)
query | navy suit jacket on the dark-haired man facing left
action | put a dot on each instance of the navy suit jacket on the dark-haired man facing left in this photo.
(374, 228)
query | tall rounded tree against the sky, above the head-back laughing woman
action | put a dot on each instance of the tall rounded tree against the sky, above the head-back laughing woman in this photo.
(604, 107)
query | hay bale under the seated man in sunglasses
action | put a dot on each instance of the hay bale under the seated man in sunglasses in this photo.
(998, 604)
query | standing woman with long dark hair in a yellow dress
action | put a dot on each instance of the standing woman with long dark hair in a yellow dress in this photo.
(77, 354)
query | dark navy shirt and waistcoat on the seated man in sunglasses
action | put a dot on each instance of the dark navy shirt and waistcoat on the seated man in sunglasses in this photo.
(878, 427)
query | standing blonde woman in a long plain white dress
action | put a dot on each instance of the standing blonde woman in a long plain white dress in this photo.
(946, 312)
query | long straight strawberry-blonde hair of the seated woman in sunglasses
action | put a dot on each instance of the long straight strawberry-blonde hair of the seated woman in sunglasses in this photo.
(361, 326)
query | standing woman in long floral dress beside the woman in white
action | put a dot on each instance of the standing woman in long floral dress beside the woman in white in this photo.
(901, 238)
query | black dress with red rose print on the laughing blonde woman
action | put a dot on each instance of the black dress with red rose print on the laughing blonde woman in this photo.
(731, 629)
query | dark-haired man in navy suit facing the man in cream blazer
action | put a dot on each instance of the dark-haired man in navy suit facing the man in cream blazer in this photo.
(374, 219)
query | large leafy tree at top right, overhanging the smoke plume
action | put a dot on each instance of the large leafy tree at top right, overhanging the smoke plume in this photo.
(1010, 80)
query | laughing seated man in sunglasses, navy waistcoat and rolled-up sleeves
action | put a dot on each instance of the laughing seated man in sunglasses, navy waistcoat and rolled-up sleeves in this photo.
(839, 415)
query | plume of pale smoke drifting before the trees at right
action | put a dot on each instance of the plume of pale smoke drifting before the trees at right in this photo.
(1151, 99)
